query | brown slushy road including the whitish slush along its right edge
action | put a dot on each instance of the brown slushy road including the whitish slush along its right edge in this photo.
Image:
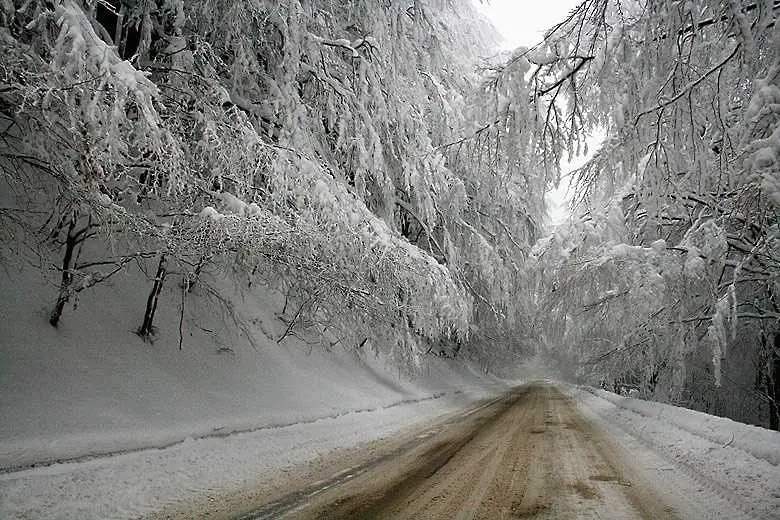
(529, 454)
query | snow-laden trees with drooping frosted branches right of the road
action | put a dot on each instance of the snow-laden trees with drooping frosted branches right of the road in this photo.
(667, 277)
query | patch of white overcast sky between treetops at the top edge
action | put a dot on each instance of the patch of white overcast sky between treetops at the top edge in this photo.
(523, 22)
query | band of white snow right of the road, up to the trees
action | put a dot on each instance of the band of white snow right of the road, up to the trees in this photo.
(735, 464)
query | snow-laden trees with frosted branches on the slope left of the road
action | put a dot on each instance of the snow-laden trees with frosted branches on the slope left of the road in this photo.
(304, 145)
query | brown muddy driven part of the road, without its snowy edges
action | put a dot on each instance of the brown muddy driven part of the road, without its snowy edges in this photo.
(529, 454)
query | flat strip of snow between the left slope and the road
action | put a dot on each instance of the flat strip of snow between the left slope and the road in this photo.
(140, 483)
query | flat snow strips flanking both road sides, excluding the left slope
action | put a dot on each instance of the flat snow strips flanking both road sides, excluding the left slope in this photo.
(678, 446)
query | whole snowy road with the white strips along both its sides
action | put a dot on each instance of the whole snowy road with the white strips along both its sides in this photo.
(542, 450)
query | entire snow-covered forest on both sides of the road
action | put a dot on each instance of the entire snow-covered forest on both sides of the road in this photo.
(385, 169)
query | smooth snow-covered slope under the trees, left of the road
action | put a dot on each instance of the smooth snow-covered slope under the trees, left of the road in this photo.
(92, 387)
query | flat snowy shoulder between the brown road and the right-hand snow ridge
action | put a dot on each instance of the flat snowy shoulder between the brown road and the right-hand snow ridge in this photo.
(697, 477)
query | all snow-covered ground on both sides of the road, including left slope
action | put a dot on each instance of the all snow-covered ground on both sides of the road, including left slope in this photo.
(98, 424)
